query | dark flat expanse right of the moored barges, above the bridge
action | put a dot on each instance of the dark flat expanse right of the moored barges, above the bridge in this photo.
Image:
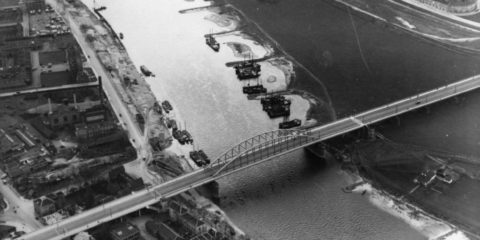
(333, 53)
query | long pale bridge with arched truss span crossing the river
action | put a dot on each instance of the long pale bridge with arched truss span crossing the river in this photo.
(278, 144)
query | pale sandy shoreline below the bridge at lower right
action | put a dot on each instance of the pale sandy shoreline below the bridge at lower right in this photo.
(397, 202)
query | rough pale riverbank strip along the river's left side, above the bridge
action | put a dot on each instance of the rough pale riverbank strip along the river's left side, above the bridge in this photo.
(123, 73)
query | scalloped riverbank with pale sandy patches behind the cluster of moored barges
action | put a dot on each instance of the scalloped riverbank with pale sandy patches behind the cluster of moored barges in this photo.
(292, 76)
